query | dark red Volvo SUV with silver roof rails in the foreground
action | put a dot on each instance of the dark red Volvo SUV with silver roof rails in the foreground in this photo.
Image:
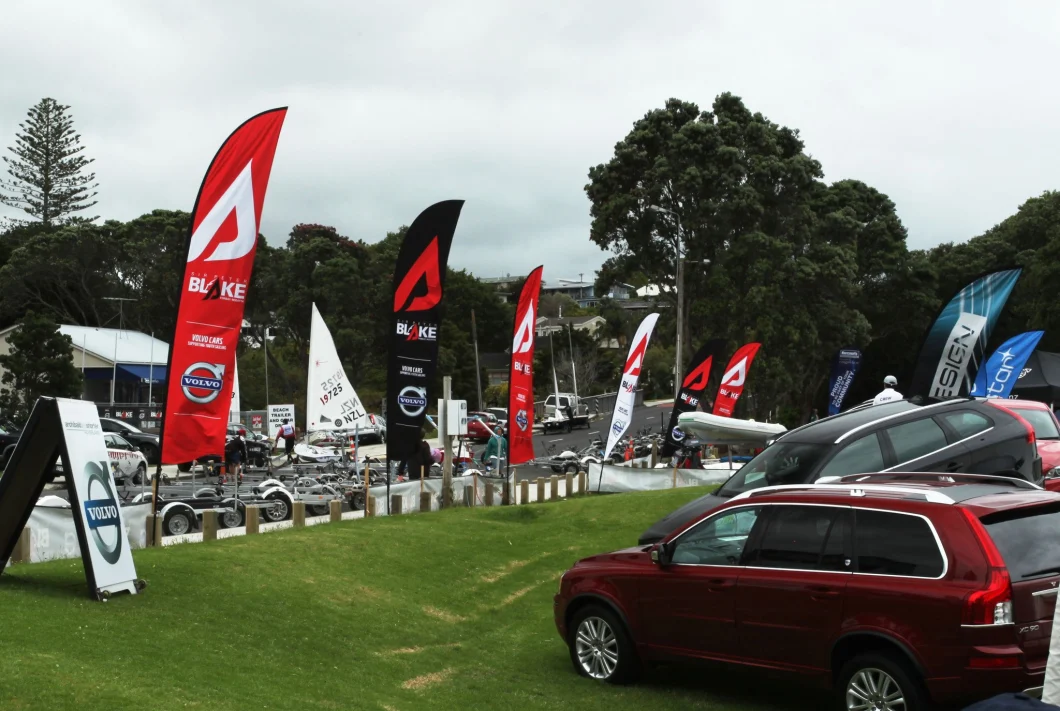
(896, 590)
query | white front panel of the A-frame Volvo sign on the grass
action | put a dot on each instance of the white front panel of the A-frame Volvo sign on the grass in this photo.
(110, 565)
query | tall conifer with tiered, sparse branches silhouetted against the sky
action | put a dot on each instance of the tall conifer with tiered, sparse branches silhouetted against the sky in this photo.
(47, 172)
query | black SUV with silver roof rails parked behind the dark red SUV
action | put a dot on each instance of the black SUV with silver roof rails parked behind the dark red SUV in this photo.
(965, 436)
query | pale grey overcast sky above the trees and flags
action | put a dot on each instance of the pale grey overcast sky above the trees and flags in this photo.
(951, 109)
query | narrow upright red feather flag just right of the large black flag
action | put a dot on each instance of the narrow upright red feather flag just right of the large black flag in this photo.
(521, 376)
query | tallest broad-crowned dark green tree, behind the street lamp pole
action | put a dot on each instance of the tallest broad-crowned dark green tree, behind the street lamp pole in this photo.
(772, 254)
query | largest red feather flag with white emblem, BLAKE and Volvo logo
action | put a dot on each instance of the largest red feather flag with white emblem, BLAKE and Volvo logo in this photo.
(221, 255)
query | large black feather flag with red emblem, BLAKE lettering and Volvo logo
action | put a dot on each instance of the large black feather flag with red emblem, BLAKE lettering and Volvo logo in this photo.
(419, 286)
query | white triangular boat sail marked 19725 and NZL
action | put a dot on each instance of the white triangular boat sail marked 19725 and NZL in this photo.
(331, 401)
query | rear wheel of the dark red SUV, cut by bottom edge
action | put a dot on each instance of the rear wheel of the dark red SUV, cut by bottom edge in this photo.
(885, 672)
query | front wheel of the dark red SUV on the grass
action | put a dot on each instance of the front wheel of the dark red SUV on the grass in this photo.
(600, 647)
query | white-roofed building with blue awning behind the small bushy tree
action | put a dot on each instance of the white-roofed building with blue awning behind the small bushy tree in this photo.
(119, 366)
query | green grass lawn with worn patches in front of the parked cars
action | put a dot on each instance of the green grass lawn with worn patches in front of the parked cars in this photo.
(448, 611)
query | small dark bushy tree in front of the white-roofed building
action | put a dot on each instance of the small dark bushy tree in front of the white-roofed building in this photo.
(40, 365)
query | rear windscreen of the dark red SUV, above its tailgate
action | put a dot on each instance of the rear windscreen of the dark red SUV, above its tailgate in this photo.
(1018, 536)
